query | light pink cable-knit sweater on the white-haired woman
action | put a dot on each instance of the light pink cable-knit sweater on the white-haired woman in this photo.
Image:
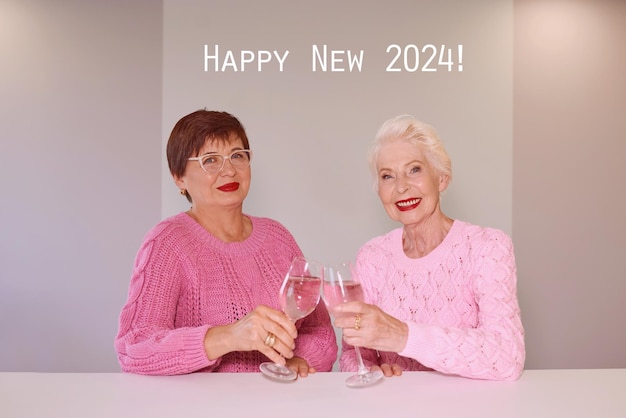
(459, 301)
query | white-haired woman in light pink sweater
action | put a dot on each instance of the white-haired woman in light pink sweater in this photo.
(440, 293)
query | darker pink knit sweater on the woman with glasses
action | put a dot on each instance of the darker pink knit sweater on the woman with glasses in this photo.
(185, 281)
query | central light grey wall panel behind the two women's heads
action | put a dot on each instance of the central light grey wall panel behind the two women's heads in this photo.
(310, 129)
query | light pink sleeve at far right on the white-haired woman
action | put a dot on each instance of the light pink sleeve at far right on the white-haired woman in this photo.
(494, 349)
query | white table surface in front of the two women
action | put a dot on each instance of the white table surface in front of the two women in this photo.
(538, 393)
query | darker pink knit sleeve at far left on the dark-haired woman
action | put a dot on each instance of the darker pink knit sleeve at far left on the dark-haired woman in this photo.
(147, 341)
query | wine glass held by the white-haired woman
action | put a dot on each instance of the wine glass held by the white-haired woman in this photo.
(340, 286)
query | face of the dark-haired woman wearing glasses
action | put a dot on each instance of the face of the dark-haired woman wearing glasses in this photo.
(226, 188)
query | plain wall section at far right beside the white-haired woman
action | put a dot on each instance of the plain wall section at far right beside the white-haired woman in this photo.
(569, 202)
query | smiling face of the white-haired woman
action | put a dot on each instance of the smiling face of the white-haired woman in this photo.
(408, 185)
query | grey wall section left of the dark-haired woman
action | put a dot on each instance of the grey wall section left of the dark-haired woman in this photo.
(80, 110)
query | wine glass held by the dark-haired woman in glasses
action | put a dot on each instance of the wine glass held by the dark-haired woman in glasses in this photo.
(298, 297)
